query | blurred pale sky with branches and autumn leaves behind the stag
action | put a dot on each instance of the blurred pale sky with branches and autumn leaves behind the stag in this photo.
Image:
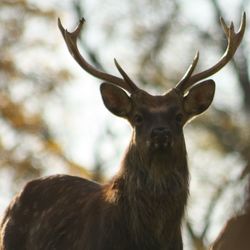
(52, 119)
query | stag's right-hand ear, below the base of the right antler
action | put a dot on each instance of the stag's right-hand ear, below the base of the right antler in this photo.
(199, 98)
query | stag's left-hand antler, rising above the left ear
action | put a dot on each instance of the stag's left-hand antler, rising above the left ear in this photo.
(71, 42)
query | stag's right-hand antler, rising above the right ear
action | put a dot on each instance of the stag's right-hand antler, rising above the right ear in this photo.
(233, 39)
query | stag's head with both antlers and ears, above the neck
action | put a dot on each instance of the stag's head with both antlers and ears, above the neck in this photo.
(157, 120)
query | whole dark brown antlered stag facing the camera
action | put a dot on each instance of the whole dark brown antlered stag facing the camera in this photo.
(143, 205)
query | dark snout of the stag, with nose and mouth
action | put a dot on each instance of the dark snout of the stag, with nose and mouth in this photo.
(161, 137)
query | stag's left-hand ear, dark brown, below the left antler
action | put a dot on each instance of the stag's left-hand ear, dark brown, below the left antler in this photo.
(116, 100)
